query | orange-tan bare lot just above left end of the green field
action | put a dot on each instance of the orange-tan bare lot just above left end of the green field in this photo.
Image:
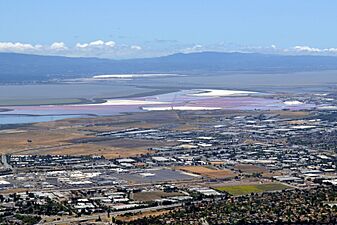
(206, 171)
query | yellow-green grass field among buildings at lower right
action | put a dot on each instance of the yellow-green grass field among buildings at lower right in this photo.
(247, 189)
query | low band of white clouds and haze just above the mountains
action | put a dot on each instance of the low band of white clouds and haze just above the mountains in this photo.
(110, 49)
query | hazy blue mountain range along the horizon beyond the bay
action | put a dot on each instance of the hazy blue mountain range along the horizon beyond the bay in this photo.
(16, 67)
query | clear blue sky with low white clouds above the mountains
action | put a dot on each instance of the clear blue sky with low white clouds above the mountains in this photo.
(148, 28)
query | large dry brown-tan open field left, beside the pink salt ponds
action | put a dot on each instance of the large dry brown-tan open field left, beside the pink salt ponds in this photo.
(59, 137)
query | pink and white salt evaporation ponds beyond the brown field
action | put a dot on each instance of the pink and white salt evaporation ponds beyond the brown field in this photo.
(181, 100)
